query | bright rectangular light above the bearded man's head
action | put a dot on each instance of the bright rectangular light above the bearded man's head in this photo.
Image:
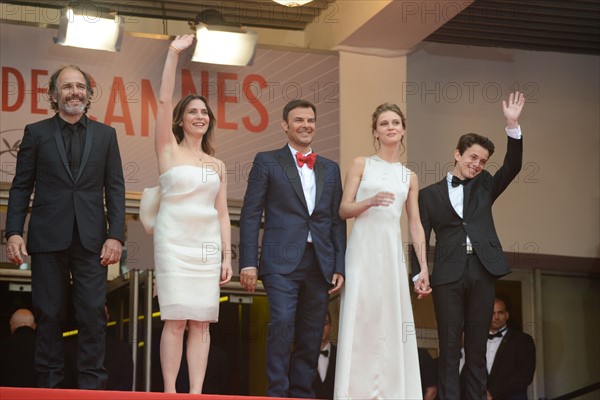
(89, 32)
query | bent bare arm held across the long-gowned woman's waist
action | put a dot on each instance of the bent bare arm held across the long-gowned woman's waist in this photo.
(350, 208)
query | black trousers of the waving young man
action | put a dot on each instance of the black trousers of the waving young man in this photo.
(465, 306)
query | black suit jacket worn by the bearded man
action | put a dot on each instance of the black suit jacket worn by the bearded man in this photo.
(61, 198)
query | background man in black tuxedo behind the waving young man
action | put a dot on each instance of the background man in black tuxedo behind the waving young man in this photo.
(510, 358)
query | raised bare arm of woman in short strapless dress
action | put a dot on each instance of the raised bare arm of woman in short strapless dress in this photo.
(163, 135)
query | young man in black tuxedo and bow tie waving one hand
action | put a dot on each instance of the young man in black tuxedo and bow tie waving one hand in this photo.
(468, 256)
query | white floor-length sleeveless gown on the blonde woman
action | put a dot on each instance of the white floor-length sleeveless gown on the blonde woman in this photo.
(377, 349)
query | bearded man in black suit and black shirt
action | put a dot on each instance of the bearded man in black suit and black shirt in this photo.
(73, 162)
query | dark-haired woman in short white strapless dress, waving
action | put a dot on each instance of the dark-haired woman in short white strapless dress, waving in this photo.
(192, 236)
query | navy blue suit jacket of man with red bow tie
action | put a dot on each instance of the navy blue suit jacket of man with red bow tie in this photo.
(274, 187)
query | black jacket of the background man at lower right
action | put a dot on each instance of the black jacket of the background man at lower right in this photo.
(513, 368)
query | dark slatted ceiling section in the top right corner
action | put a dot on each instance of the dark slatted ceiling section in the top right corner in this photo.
(545, 25)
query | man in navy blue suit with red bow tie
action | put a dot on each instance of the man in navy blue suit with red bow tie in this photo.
(302, 249)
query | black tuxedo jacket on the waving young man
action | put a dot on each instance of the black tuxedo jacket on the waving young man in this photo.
(451, 230)
